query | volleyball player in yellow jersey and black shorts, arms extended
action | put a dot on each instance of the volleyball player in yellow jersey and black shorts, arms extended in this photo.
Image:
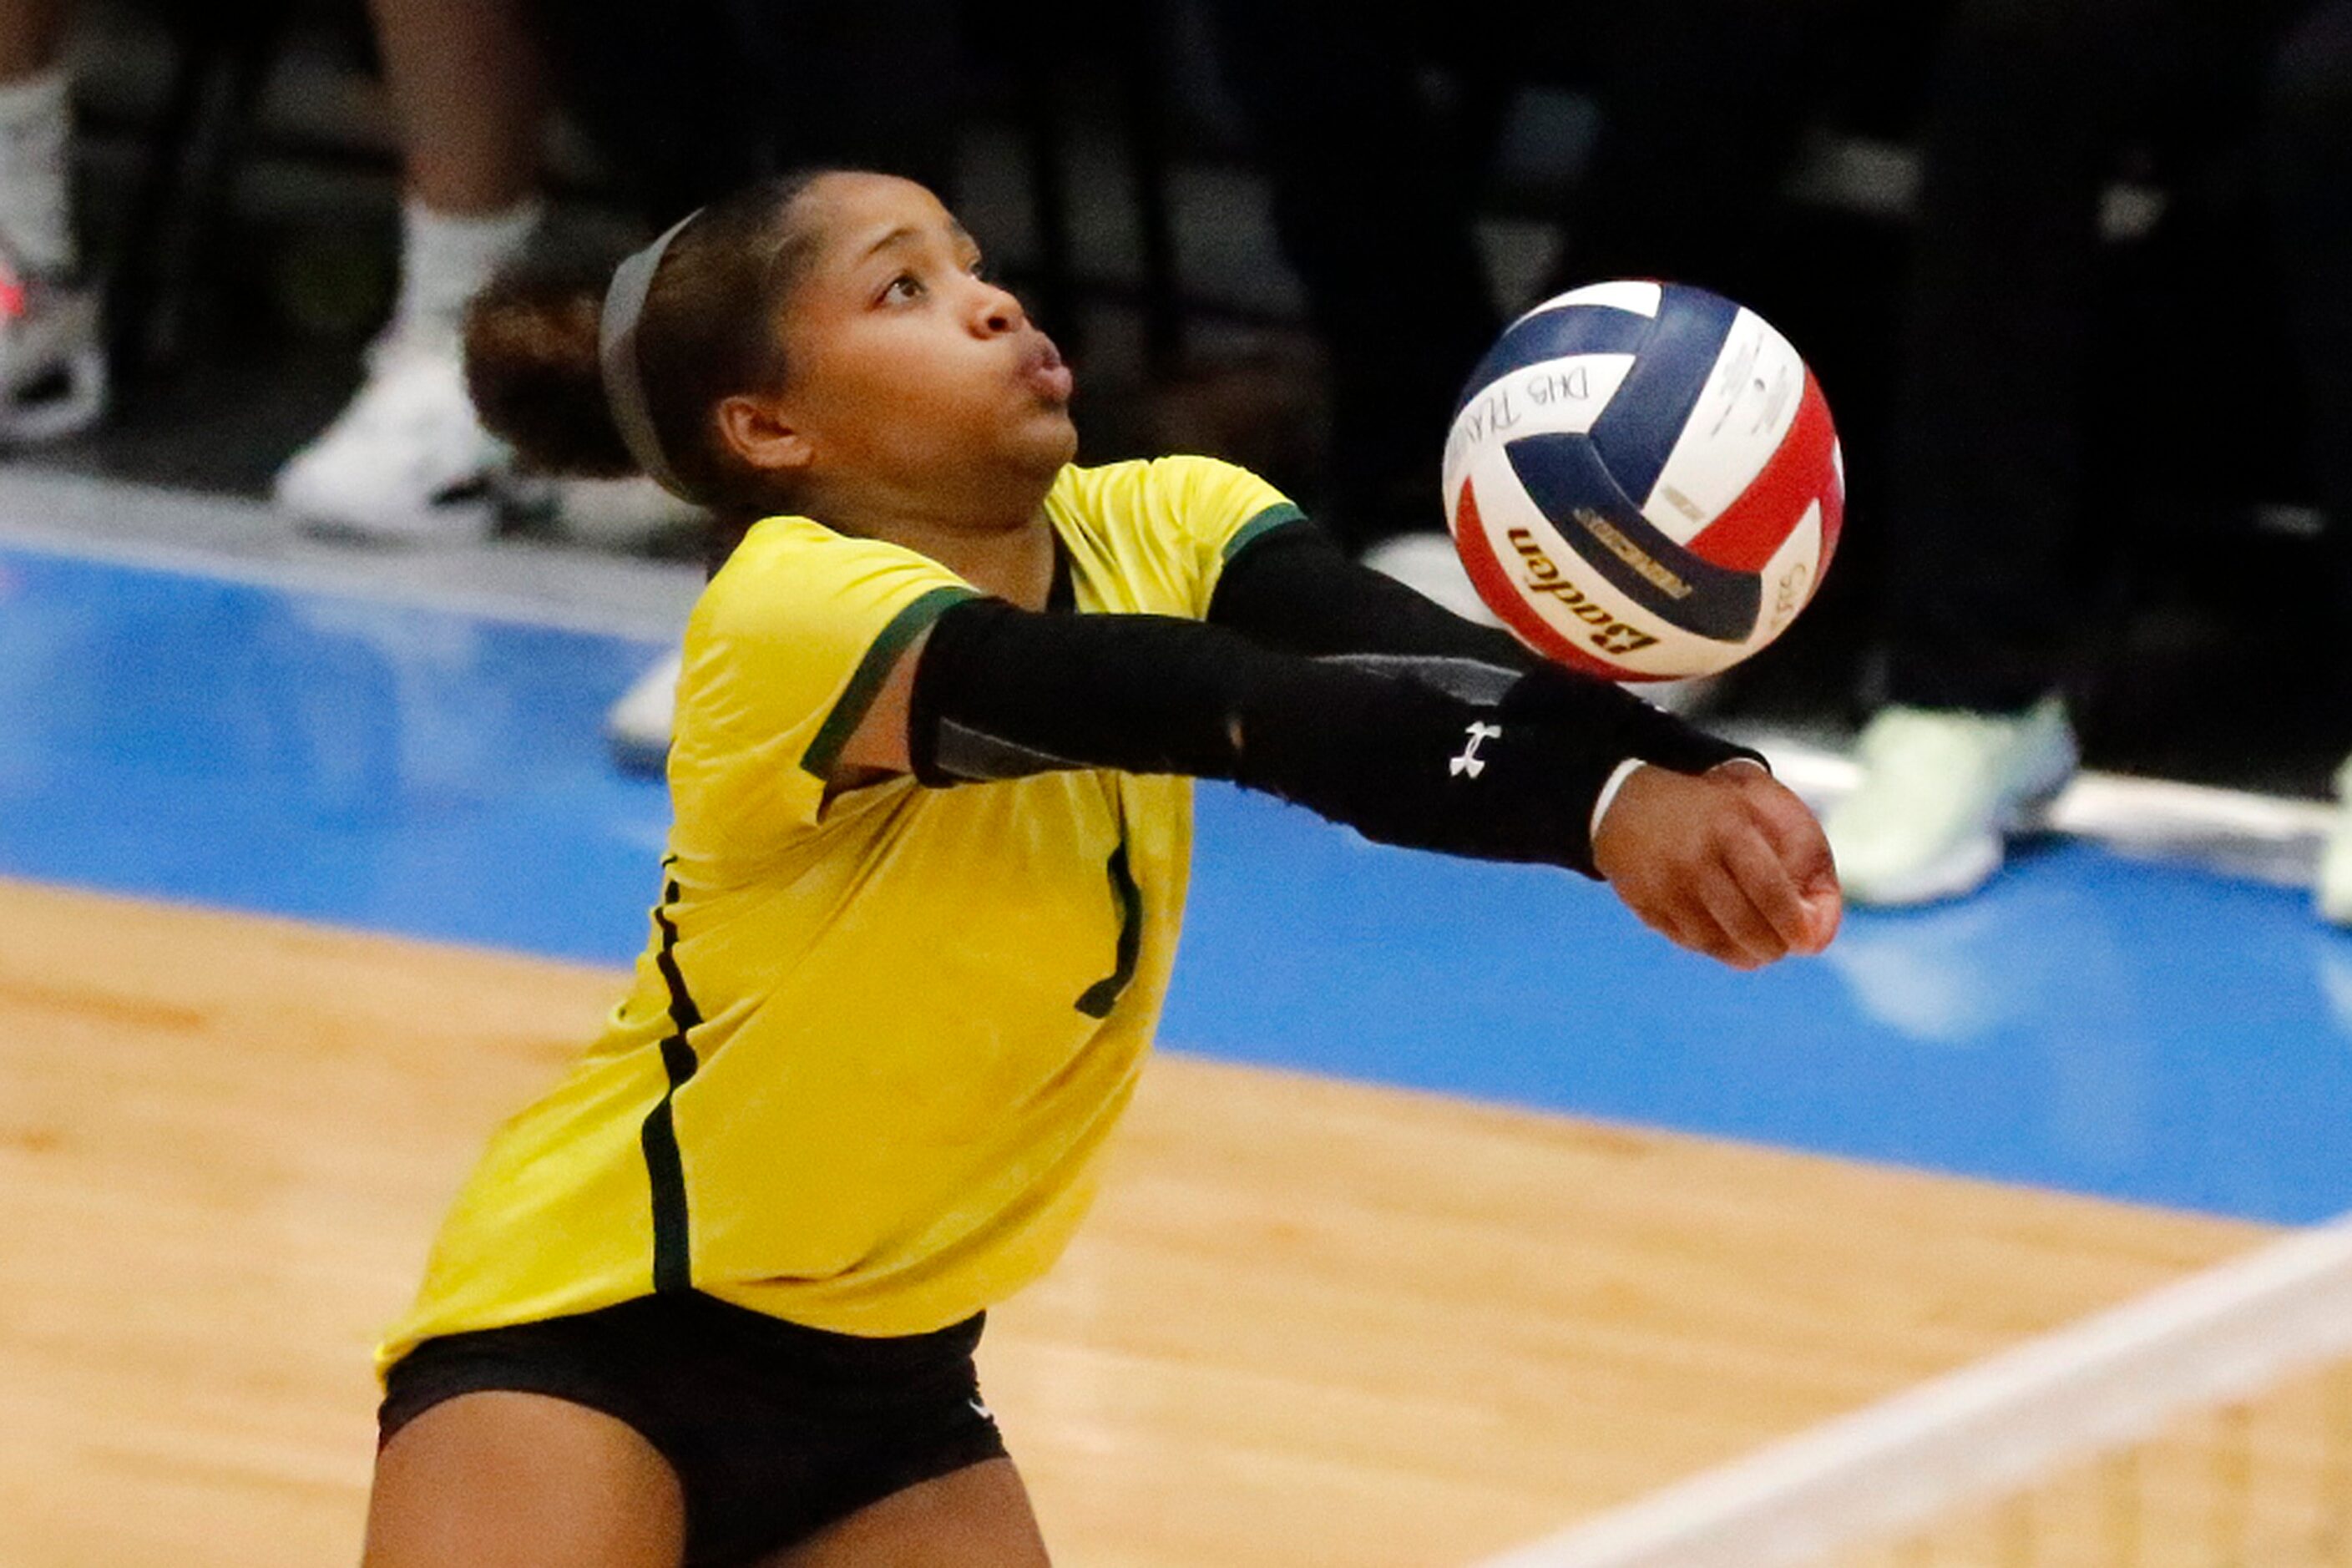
(714, 1299)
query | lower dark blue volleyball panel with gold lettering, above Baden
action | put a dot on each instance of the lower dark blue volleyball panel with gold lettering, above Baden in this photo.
(1570, 485)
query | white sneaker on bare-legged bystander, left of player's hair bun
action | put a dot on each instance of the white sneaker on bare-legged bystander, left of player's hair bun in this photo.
(408, 462)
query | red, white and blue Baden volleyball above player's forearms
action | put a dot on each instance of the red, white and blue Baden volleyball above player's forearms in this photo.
(1643, 481)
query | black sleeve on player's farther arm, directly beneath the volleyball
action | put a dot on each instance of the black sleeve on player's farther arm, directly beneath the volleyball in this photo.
(1299, 591)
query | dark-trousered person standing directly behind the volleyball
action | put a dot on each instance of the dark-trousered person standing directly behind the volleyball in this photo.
(1377, 194)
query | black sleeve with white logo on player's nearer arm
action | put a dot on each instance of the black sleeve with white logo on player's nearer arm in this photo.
(1005, 692)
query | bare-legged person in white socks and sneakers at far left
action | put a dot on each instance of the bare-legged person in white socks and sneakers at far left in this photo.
(406, 462)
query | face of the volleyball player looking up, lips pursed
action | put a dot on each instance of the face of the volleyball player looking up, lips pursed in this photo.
(907, 363)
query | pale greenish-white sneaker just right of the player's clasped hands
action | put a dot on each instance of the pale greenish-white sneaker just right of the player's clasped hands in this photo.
(1939, 793)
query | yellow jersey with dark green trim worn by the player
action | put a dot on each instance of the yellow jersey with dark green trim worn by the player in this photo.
(878, 1036)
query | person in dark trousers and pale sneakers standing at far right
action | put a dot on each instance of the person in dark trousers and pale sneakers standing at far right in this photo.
(2031, 109)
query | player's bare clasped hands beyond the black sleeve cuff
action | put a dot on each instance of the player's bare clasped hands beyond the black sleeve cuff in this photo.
(1728, 864)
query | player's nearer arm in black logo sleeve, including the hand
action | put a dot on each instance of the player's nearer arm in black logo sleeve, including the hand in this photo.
(1725, 864)
